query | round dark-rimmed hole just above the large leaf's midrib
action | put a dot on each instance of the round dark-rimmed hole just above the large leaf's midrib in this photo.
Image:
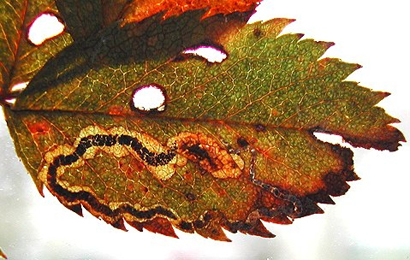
(149, 98)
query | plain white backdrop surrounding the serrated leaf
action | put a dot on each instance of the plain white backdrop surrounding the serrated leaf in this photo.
(370, 222)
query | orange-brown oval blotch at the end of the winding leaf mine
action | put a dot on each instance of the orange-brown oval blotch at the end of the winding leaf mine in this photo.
(208, 153)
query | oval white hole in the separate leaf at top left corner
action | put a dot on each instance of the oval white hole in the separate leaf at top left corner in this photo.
(44, 27)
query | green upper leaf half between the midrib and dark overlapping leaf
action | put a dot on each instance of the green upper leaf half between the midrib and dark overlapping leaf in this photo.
(276, 81)
